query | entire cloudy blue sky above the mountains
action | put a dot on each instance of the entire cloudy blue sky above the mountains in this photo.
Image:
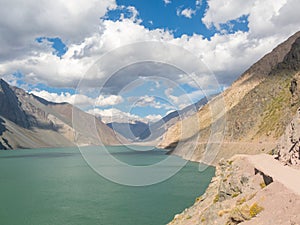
(136, 59)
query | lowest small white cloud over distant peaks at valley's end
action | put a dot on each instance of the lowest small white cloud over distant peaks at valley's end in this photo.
(116, 115)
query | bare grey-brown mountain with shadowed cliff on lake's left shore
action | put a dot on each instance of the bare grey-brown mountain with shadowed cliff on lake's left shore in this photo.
(28, 121)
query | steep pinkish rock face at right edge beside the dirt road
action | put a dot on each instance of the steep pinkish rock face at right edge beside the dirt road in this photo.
(288, 148)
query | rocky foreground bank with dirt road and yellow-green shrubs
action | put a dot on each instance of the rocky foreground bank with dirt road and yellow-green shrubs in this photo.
(247, 190)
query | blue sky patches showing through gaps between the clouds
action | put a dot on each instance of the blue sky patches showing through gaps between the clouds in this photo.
(153, 15)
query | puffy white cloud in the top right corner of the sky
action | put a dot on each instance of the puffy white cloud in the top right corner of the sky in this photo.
(266, 17)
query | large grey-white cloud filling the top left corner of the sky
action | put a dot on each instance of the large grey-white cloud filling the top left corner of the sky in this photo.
(23, 21)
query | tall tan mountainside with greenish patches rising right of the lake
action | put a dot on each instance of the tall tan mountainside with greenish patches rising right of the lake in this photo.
(258, 107)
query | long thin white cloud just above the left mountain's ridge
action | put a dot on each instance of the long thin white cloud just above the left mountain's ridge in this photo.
(79, 99)
